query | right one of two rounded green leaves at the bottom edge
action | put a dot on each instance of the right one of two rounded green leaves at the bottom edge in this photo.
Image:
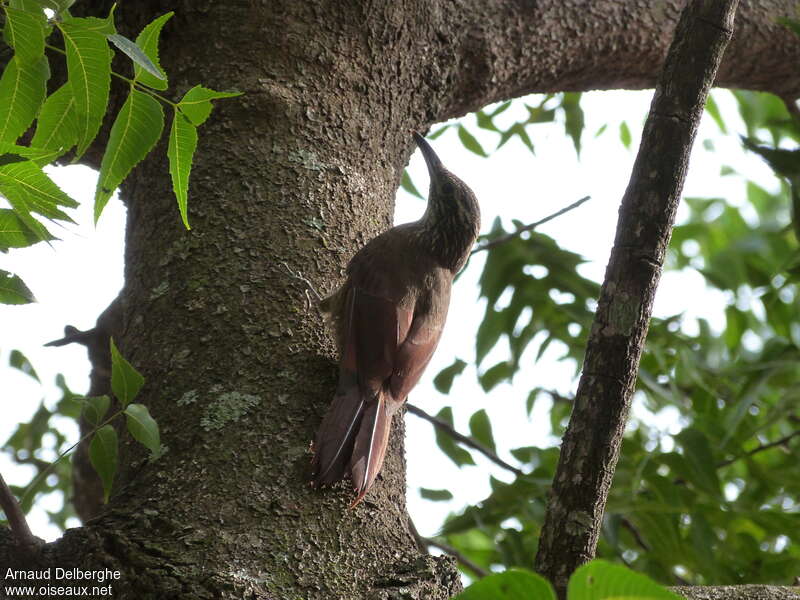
(600, 580)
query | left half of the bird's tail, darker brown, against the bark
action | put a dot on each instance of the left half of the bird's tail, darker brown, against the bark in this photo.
(333, 444)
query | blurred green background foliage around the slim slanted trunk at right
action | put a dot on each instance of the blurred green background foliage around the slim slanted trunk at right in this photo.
(716, 499)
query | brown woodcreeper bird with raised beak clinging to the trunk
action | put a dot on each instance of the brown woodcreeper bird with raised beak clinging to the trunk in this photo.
(388, 317)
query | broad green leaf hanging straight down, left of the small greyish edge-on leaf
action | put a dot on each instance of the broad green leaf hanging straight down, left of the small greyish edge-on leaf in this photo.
(89, 74)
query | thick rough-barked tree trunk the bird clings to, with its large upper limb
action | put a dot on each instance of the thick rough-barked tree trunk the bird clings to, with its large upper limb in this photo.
(302, 170)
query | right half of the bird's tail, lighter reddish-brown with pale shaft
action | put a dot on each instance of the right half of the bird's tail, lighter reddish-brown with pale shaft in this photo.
(369, 449)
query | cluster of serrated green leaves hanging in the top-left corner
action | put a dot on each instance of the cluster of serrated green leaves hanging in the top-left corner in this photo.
(71, 117)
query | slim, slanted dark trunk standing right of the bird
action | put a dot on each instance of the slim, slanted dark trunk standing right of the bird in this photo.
(591, 445)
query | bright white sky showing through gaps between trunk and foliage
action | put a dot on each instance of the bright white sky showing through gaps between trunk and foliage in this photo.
(80, 275)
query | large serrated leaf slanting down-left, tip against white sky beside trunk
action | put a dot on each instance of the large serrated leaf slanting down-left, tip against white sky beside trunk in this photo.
(135, 131)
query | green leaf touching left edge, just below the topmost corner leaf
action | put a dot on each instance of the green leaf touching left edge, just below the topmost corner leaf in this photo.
(22, 90)
